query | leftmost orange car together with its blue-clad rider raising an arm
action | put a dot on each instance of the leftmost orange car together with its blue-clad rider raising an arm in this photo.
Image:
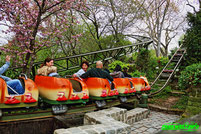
(16, 91)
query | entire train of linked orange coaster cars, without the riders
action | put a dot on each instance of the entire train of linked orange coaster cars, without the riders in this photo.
(61, 92)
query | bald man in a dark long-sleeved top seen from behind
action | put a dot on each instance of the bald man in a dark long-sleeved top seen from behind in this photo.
(97, 72)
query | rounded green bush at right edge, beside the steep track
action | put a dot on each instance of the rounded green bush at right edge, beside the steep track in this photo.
(191, 76)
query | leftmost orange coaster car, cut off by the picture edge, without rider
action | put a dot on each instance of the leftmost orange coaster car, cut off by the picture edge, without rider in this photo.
(29, 97)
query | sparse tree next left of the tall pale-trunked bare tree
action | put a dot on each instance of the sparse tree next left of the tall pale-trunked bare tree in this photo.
(121, 16)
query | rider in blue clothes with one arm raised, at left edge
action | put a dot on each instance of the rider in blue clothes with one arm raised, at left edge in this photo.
(14, 86)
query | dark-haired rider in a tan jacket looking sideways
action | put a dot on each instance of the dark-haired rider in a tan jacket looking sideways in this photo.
(47, 68)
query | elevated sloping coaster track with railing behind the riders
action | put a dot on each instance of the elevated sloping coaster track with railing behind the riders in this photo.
(71, 62)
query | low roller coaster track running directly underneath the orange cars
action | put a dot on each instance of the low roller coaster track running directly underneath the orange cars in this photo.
(15, 115)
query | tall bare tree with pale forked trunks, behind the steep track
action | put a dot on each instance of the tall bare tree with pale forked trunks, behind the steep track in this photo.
(161, 21)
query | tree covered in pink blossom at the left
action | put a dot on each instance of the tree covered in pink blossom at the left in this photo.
(27, 19)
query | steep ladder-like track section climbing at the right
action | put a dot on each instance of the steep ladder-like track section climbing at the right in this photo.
(167, 72)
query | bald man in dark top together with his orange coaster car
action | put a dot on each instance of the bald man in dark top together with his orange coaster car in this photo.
(98, 83)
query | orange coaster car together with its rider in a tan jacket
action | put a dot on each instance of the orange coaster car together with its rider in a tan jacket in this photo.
(59, 92)
